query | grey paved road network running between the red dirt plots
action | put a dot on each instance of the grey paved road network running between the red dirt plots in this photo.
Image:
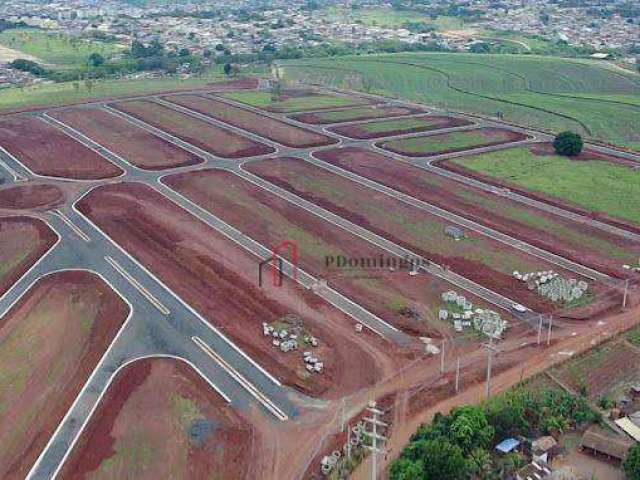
(162, 324)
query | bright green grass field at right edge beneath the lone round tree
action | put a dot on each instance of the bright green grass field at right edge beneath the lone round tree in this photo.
(593, 184)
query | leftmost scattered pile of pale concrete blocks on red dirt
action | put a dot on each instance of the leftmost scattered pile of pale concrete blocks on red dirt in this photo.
(288, 334)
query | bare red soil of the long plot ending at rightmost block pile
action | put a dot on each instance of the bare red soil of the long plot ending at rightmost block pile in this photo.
(287, 172)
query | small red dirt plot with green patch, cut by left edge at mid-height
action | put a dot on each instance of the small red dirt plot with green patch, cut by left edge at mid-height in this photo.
(19, 231)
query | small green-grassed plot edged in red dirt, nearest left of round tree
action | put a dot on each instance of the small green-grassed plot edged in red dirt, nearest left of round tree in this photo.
(451, 142)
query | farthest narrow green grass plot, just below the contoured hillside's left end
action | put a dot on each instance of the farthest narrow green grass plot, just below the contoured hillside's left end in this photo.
(295, 101)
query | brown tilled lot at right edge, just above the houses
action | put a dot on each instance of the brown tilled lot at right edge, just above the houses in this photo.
(608, 370)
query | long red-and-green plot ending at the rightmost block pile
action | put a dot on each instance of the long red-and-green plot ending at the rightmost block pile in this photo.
(475, 256)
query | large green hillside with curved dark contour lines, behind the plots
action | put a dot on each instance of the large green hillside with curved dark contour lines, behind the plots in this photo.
(598, 100)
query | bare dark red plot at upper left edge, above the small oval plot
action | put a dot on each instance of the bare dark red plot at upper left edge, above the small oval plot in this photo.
(45, 150)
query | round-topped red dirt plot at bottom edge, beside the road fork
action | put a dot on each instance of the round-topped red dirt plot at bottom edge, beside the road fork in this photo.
(147, 389)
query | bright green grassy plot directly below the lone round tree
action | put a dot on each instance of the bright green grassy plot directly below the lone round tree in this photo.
(593, 183)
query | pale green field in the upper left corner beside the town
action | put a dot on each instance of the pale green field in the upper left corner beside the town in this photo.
(56, 49)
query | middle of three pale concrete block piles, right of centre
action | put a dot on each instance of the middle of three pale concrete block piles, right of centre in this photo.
(461, 312)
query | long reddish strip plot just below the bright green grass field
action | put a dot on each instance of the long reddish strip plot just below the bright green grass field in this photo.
(576, 241)
